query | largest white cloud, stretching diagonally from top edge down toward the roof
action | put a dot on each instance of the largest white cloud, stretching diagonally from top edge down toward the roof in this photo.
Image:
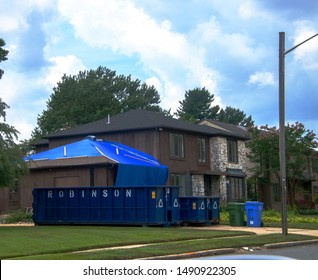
(126, 29)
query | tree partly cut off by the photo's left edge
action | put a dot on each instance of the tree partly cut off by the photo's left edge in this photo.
(12, 165)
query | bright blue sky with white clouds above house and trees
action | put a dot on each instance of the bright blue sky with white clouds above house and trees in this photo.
(230, 47)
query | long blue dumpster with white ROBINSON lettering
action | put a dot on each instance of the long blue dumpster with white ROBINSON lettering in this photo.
(146, 205)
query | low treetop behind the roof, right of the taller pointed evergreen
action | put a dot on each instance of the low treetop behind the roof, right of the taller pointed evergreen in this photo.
(234, 116)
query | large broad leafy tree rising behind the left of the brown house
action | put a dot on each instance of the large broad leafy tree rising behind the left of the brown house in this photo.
(93, 95)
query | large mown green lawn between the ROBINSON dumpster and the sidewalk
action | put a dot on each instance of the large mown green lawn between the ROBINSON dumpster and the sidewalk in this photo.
(27, 241)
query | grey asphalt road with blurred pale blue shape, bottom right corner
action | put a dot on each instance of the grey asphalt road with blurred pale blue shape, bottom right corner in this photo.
(299, 252)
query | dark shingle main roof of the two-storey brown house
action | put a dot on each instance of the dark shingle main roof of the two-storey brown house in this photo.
(140, 120)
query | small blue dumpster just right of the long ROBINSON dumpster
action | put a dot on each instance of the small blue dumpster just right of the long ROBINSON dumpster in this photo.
(194, 209)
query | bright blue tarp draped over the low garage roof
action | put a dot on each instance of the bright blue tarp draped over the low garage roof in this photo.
(134, 166)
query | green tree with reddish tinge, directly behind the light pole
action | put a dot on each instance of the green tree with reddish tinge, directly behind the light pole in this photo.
(264, 153)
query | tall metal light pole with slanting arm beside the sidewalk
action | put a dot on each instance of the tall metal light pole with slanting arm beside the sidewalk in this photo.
(282, 143)
